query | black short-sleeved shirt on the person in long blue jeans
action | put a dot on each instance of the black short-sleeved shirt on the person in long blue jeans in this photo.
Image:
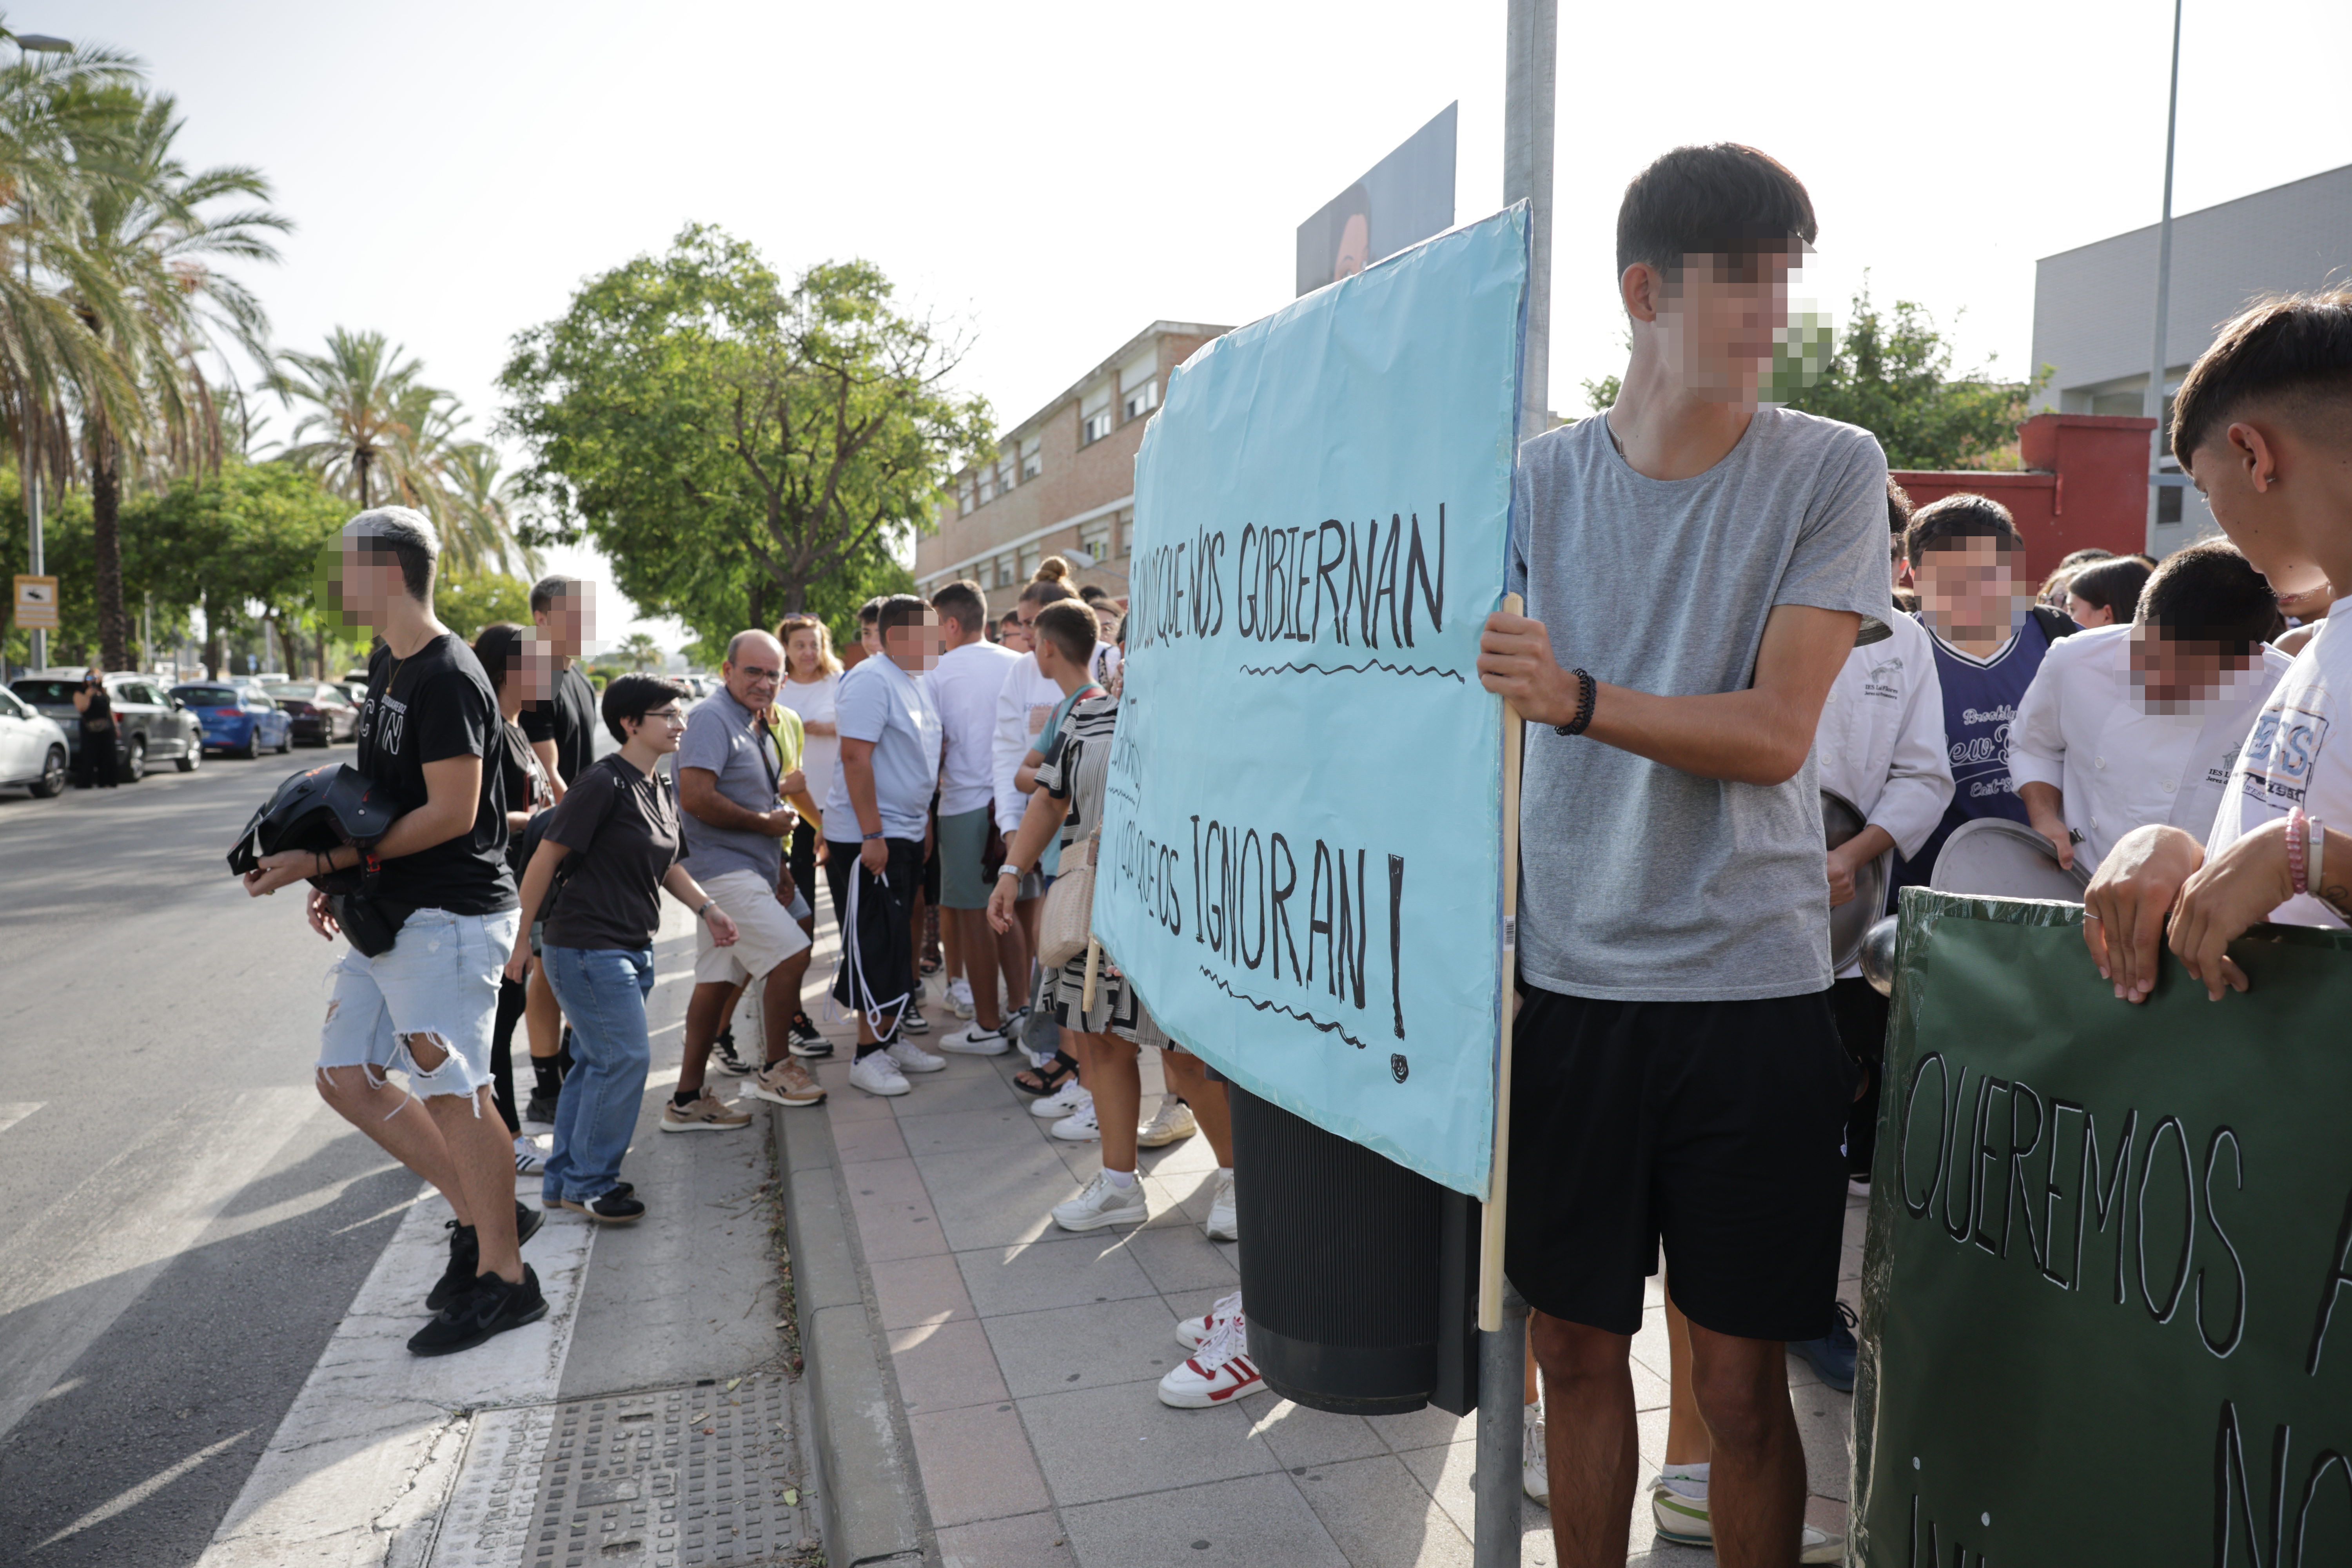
(622, 831)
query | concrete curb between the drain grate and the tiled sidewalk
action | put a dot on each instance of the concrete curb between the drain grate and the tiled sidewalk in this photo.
(869, 1494)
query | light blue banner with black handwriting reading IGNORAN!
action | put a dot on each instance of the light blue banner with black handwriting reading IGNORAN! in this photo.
(1302, 847)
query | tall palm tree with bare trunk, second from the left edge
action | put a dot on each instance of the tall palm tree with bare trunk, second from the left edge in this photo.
(142, 222)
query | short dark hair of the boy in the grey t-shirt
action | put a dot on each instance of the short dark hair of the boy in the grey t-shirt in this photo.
(1713, 201)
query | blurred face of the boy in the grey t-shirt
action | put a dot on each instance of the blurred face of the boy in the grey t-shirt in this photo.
(1718, 321)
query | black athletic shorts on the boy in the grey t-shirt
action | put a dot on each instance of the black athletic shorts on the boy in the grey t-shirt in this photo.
(1711, 1127)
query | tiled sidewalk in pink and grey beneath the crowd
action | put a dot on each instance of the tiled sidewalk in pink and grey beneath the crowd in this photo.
(1027, 1360)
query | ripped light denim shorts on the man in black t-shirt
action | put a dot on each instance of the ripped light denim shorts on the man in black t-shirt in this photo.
(441, 979)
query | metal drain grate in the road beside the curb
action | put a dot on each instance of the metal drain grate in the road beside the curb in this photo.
(667, 1480)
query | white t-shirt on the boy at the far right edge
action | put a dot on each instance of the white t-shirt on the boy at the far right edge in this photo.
(2287, 760)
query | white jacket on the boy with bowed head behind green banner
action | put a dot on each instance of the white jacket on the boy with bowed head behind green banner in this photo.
(2085, 730)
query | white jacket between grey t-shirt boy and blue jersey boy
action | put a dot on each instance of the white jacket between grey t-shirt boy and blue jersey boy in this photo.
(1880, 742)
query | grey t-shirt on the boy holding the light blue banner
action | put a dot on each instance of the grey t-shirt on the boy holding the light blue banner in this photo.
(1643, 883)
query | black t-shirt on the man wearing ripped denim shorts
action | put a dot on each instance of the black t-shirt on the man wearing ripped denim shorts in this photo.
(432, 706)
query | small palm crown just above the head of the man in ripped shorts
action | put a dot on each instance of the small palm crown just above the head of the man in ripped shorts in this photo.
(366, 403)
